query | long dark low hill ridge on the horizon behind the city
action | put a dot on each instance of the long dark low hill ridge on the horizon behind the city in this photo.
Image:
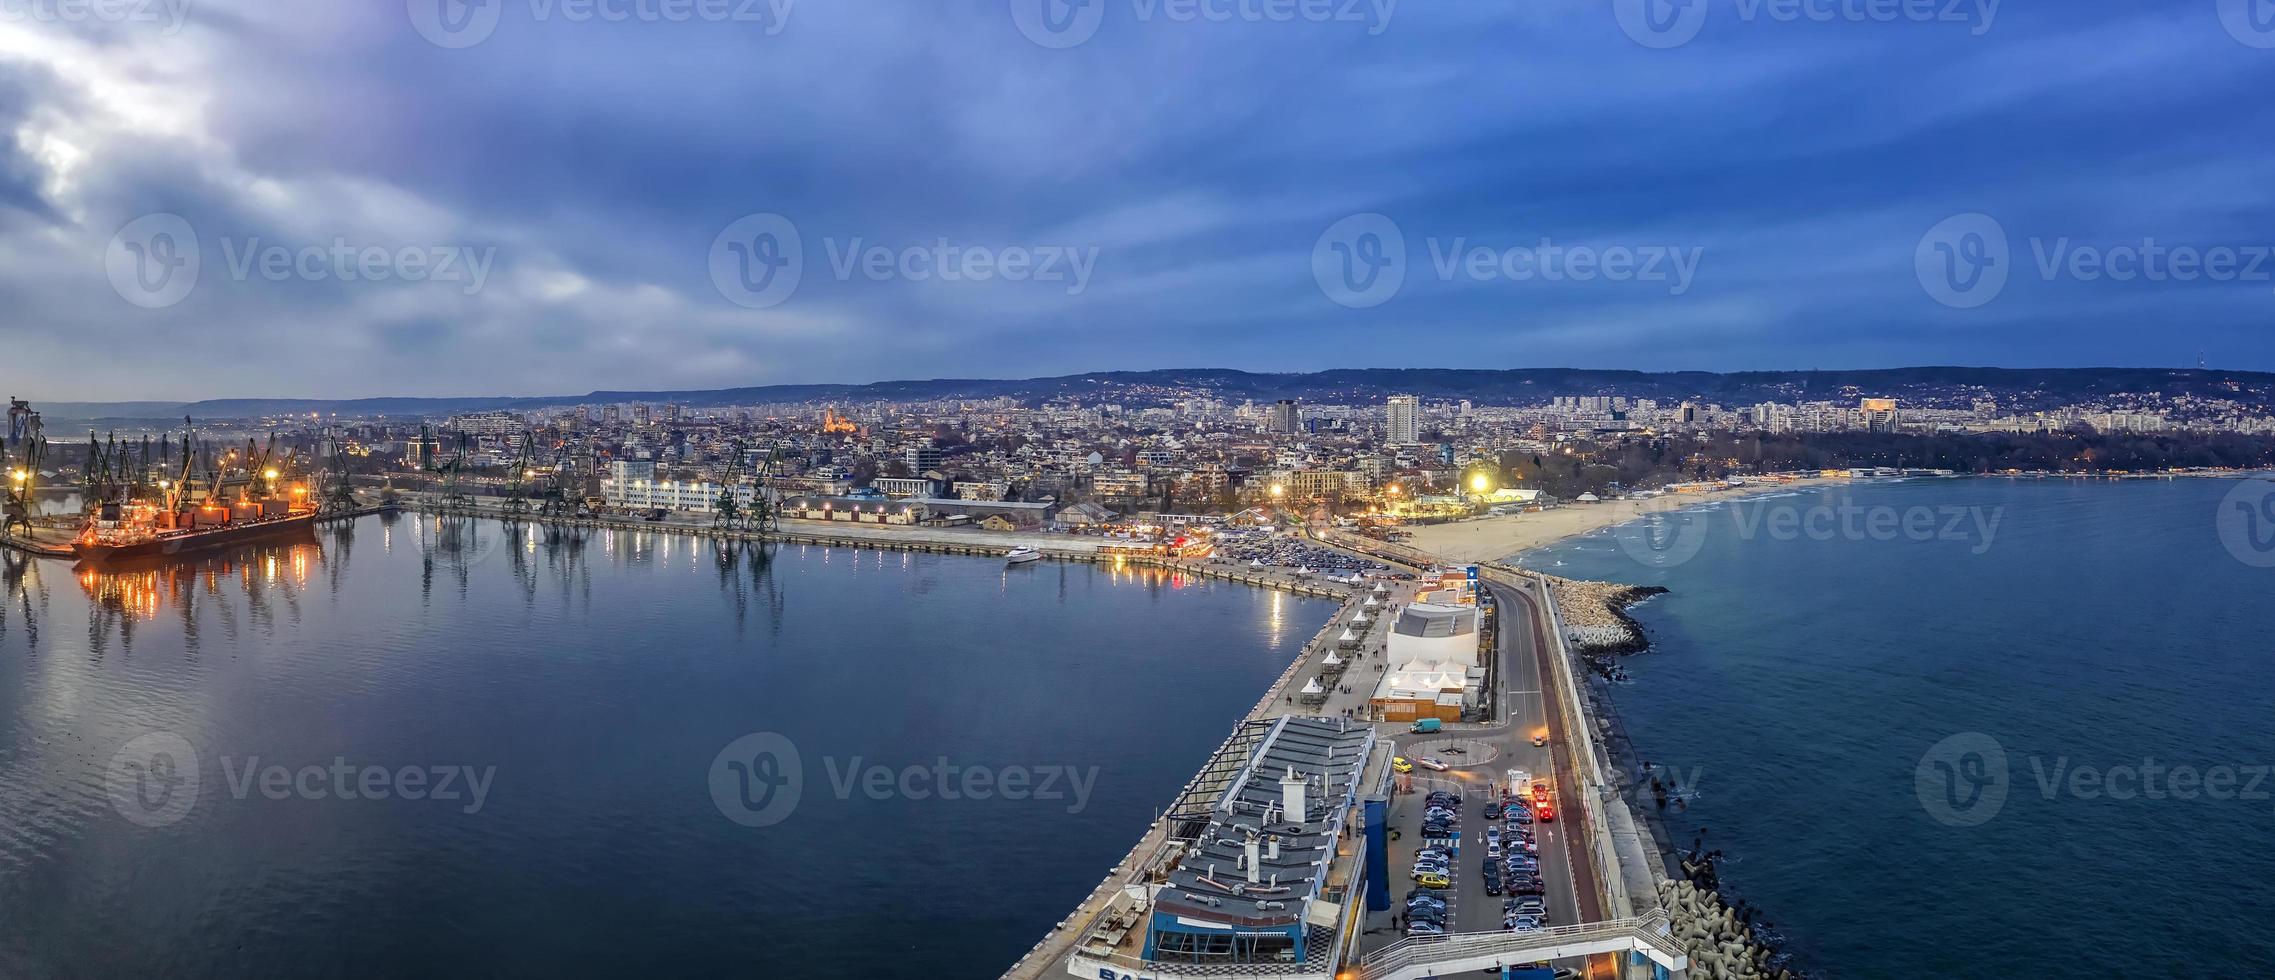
(1926, 385)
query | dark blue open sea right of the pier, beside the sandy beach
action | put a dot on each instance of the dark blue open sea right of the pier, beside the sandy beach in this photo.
(1955, 756)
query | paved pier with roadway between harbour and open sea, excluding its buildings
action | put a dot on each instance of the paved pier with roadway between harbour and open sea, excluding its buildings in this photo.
(1605, 881)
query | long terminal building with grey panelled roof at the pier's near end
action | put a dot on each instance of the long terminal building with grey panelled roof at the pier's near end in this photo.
(1268, 863)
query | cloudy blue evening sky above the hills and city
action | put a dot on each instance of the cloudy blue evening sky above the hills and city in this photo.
(333, 199)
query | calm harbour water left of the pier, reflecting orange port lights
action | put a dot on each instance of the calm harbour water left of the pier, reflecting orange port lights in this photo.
(599, 686)
